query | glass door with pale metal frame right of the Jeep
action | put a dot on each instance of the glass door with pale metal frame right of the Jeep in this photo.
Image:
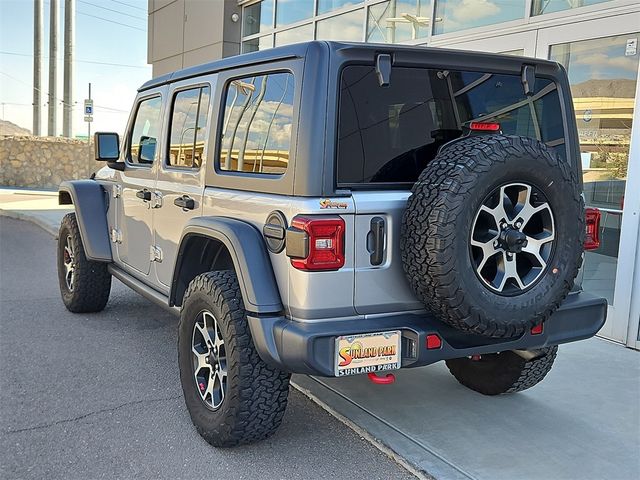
(601, 58)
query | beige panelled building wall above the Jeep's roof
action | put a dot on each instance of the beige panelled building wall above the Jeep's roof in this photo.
(182, 33)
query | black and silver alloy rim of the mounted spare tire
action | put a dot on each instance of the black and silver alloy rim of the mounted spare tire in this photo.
(512, 238)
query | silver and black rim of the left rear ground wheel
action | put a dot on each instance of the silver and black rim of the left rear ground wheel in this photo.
(209, 360)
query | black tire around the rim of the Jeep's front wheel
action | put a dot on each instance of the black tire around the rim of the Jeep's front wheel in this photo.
(92, 280)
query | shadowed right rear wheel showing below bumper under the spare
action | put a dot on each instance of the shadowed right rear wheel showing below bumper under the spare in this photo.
(504, 372)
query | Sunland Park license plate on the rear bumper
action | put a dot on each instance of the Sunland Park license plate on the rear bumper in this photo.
(368, 352)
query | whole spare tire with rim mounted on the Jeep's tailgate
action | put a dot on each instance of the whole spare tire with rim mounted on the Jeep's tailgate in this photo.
(493, 233)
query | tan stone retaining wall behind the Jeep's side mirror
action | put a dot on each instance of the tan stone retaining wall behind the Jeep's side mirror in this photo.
(44, 162)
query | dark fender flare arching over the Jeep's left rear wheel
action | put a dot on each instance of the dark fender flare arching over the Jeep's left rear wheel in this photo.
(250, 259)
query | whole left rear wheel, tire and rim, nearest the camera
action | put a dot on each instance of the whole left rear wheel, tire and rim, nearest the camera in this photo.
(232, 395)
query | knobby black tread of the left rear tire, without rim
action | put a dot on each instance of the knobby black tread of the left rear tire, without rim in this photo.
(258, 409)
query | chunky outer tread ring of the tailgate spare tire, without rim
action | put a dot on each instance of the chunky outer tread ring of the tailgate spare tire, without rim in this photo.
(436, 200)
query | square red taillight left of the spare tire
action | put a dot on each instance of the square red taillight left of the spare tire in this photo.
(317, 242)
